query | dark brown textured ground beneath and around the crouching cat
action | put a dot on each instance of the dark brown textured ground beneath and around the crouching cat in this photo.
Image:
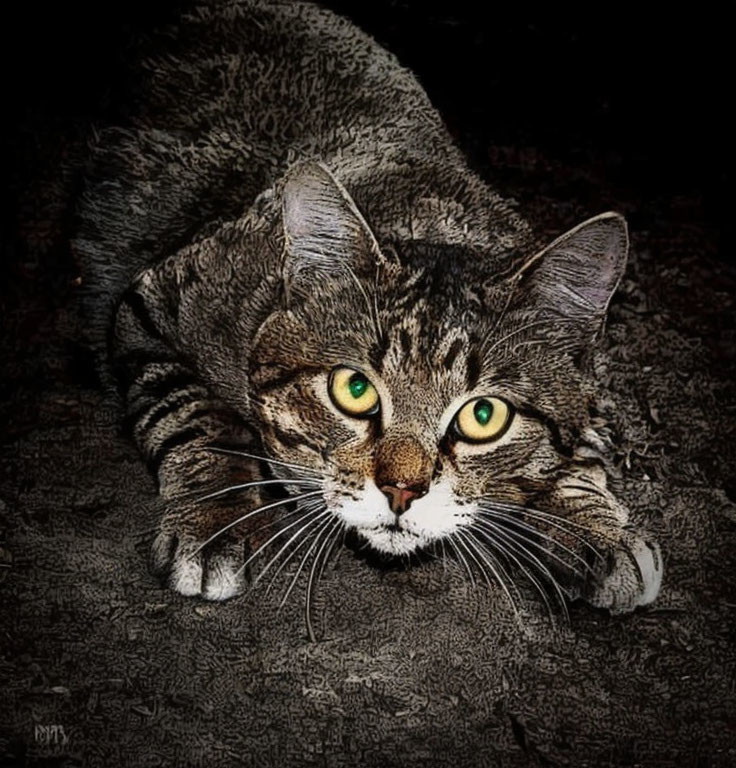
(411, 667)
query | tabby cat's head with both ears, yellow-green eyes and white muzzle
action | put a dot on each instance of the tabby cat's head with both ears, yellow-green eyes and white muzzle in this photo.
(415, 378)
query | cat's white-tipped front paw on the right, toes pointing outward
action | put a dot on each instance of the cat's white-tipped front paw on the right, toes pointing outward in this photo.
(631, 577)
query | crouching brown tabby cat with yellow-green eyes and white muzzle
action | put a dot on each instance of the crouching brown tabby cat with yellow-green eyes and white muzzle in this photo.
(308, 298)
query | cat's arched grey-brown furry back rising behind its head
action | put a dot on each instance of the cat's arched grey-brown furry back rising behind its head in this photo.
(225, 98)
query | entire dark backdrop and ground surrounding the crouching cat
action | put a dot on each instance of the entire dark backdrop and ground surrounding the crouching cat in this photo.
(571, 116)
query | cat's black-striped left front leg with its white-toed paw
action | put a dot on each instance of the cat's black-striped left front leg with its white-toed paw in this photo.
(173, 419)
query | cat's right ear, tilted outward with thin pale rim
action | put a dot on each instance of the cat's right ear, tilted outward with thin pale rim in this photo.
(575, 276)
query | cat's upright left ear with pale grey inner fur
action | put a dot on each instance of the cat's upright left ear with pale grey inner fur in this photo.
(324, 231)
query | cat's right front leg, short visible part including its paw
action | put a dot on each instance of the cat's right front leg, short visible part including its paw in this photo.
(625, 564)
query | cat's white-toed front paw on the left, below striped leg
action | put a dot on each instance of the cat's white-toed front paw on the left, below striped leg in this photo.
(214, 573)
